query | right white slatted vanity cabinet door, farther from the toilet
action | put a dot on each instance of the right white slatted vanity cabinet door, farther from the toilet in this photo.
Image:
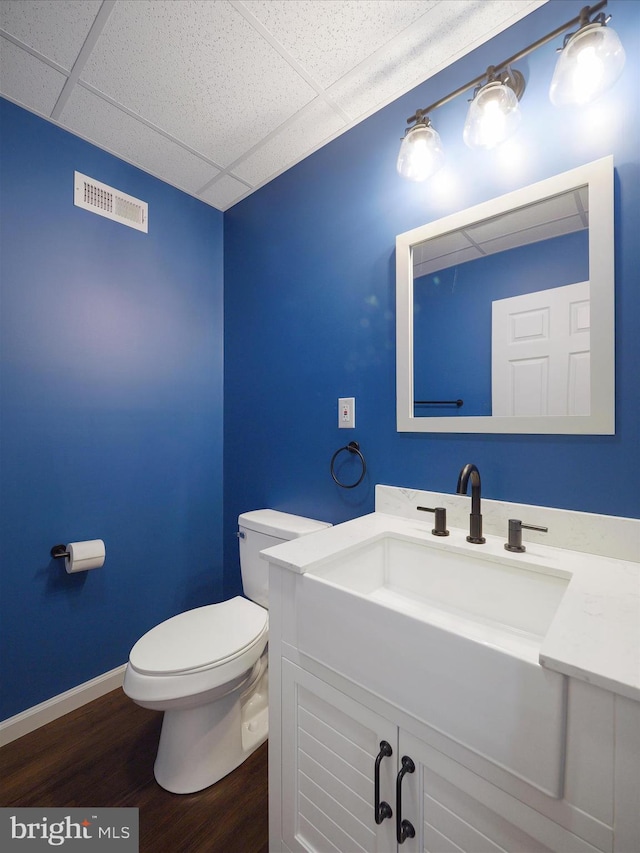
(455, 811)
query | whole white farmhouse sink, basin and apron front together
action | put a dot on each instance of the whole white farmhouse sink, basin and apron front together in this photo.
(451, 635)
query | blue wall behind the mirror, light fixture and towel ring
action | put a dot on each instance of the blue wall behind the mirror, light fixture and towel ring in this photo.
(310, 301)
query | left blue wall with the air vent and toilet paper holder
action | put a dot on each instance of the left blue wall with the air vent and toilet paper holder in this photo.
(111, 410)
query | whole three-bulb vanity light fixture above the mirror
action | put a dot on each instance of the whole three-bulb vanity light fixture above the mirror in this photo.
(591, 60)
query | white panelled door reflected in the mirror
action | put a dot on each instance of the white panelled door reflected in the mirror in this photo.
(540, 353)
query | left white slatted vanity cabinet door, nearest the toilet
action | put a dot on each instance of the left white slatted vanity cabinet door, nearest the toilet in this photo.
(329, 748)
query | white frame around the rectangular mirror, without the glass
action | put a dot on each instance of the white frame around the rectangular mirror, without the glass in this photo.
(598, 176)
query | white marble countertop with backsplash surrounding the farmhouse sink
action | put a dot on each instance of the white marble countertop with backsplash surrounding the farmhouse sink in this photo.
(595, 633)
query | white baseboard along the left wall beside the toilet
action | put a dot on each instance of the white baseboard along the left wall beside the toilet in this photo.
(39, 715)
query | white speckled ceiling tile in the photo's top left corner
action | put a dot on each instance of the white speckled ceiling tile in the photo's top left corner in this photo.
(56, 30)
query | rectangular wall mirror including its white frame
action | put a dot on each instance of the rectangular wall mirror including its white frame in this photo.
(505, 313)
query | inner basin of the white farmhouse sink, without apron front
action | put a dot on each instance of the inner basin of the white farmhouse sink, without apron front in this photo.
(486, 599)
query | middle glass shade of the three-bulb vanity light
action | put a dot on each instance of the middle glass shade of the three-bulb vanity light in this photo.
(494, 115)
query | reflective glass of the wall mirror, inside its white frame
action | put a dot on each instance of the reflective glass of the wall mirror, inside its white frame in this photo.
(521, 345)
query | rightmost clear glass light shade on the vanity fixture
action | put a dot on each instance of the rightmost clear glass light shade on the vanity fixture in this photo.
(590, 63)
